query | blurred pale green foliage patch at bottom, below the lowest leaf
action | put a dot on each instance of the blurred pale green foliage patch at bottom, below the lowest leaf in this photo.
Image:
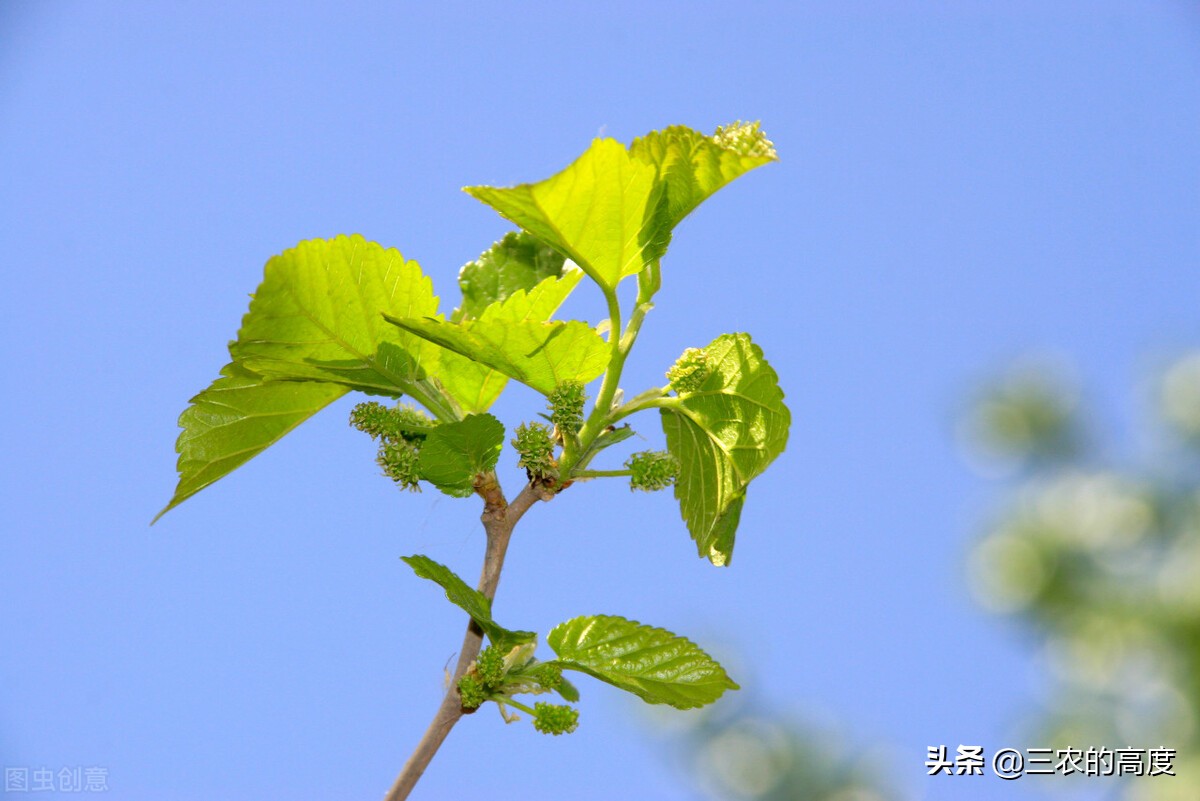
(740, 750)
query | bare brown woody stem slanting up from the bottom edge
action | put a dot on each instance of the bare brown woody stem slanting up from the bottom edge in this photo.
(499, 519)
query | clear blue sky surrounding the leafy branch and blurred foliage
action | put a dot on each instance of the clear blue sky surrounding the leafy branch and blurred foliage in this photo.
(959, 185)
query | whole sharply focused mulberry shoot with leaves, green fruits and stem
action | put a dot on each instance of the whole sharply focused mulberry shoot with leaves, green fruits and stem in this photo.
(346, 315)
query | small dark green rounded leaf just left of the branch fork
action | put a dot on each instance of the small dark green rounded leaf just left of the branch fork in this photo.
(455, 453)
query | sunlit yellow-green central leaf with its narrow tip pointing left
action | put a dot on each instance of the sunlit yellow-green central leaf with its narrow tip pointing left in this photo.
(542, 356)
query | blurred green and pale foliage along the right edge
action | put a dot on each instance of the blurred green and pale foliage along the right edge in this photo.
(1101, 564)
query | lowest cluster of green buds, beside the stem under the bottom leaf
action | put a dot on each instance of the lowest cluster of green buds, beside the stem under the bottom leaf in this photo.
(499, 674)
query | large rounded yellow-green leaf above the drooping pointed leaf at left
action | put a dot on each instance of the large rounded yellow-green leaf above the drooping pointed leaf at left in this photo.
(317, 317)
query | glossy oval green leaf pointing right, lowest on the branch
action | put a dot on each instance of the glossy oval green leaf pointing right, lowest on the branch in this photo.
(652, 664)
